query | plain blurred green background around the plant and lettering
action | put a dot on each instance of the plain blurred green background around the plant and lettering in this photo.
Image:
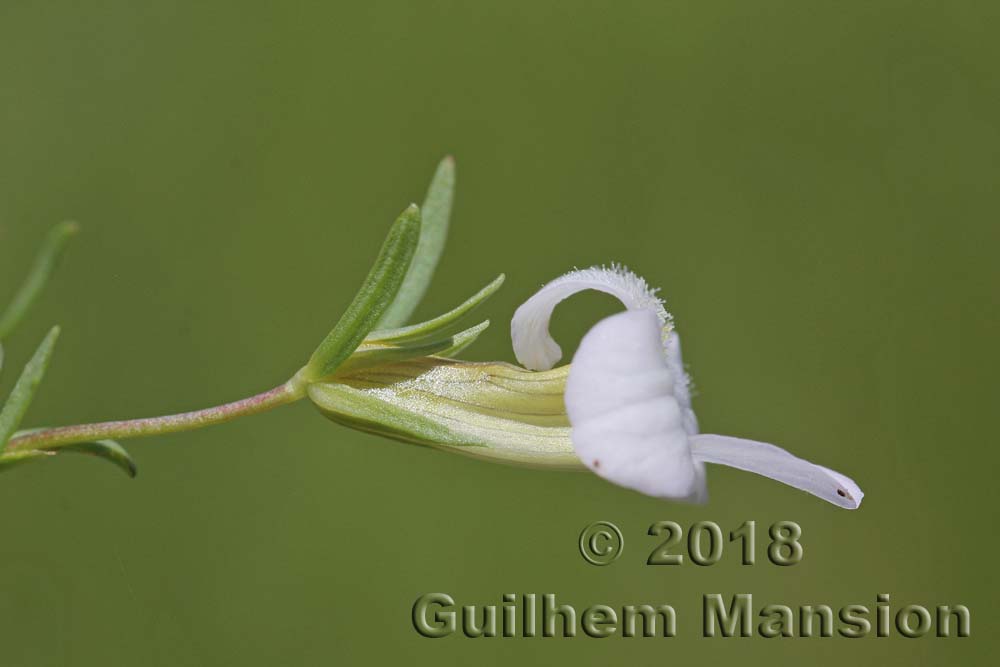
(814, 185)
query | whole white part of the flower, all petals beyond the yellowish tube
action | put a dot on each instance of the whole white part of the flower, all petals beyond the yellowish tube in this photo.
(629, 404)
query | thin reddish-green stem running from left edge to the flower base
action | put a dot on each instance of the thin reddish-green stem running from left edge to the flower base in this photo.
(288, 392)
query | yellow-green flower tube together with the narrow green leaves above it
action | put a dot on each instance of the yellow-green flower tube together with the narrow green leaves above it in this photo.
(400, 382)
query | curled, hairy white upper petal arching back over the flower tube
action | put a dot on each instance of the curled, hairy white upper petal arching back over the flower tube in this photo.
(529, 329)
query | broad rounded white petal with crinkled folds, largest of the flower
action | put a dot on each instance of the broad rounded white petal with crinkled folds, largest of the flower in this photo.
(628, 426)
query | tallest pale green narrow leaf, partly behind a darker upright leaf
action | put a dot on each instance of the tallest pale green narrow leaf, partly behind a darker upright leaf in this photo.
(436, 213)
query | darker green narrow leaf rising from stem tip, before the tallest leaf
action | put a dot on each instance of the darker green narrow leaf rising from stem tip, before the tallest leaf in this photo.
(376, 293)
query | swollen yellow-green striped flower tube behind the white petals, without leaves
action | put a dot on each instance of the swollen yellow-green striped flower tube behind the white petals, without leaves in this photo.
(488, 410)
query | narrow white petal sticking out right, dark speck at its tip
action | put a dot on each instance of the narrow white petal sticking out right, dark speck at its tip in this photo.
(774, 462)
